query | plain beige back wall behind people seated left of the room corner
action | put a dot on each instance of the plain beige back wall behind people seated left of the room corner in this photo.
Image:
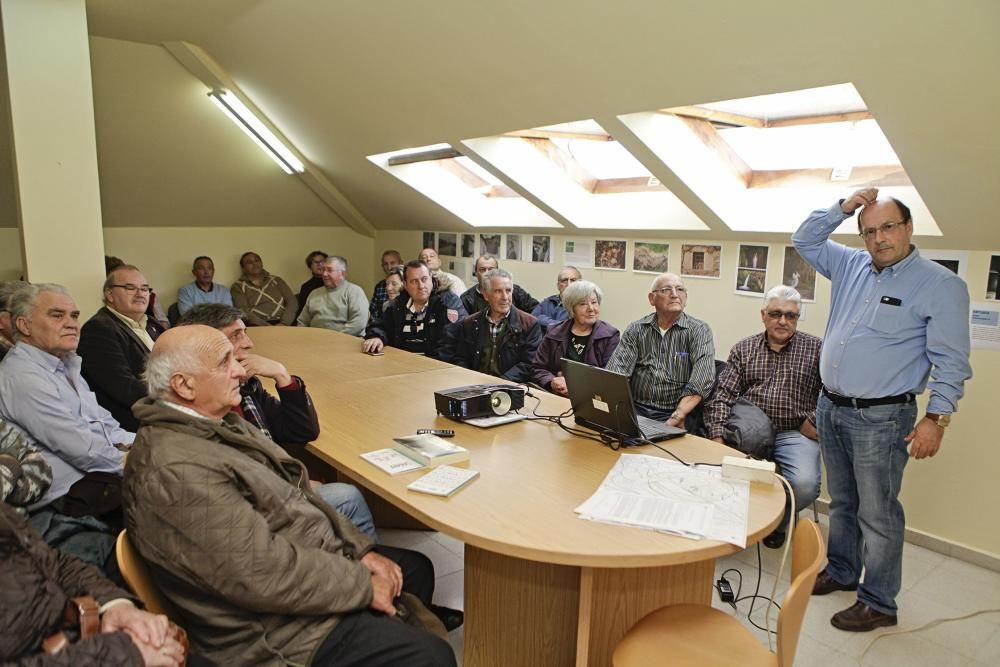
(165, 254)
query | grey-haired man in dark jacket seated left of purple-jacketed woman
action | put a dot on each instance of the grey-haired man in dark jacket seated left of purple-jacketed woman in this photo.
(500, 340)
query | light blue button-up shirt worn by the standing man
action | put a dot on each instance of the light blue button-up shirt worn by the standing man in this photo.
(888, 330)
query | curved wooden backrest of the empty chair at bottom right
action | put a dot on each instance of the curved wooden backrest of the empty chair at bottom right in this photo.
(808, 552)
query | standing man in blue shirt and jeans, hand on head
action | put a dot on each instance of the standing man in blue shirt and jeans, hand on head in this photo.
(896, 319)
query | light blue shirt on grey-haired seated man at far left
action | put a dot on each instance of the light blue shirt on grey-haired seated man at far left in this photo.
(48, 399)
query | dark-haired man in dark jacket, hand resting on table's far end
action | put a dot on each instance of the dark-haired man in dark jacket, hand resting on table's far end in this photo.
(418, 320)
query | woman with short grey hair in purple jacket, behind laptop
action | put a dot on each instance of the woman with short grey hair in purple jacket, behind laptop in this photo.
(584, 337)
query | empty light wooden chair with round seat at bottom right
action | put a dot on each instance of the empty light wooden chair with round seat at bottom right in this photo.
(698, 635)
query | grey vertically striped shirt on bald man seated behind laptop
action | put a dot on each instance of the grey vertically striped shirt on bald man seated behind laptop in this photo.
(665, 368)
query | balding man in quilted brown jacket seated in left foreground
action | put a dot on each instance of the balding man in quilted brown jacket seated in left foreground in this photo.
(262, 571)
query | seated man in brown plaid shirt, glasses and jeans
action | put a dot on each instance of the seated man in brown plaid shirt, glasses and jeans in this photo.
(778, 371)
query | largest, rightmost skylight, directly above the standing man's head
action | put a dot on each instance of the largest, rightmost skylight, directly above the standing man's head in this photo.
(762, 163)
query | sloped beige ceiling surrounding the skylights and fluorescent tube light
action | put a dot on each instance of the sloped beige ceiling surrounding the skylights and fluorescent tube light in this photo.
(344, 80)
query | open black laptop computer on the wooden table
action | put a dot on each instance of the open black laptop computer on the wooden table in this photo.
(602, 401)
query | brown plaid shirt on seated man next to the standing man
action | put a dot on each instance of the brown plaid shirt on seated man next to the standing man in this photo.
(785, 384)
